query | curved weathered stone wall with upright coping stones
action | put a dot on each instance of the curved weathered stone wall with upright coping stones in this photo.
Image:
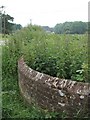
(52, 93)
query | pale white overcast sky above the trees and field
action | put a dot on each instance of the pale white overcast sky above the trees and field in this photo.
(46, 12)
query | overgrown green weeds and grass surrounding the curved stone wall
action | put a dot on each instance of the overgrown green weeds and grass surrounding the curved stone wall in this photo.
(64, 56)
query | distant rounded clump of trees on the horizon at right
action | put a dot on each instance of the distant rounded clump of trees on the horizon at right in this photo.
(76, 27)
